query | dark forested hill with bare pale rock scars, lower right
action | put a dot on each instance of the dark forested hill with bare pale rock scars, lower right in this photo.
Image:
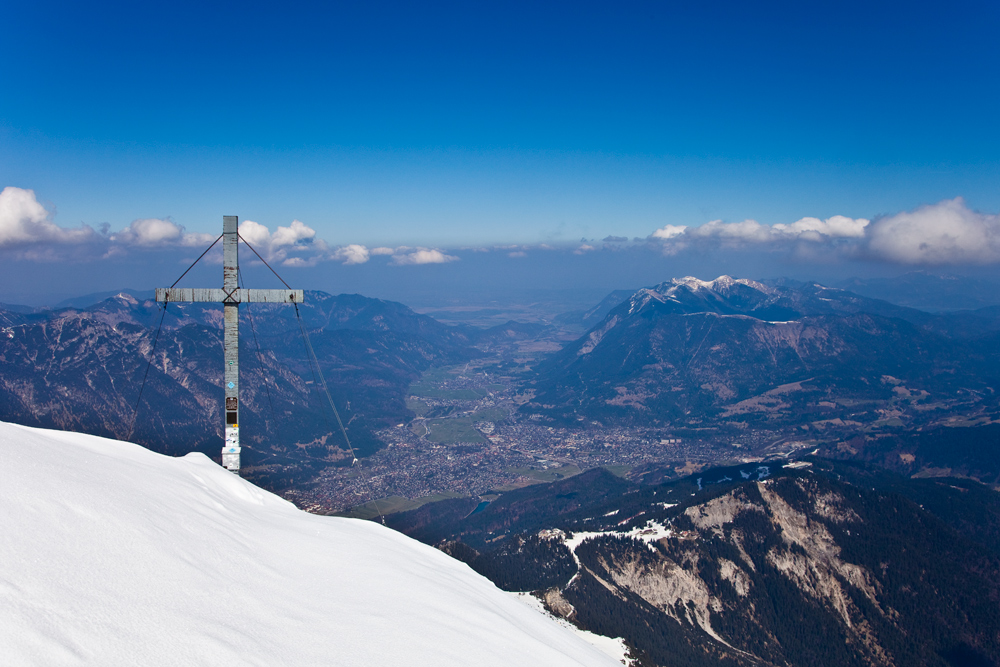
(799, 571)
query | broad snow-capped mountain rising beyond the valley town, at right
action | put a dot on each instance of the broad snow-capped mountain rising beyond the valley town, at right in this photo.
(690, 351)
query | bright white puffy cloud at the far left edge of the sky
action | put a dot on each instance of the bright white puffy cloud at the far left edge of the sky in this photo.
(23, 221)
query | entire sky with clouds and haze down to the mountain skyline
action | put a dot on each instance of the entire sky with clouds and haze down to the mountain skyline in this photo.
(403, 151)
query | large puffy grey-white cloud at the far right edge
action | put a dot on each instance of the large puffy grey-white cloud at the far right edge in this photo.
(944, 233)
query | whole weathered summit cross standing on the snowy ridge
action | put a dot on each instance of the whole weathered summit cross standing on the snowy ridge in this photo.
(231, 296)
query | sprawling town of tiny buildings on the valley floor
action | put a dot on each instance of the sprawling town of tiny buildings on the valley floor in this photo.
(507, 447)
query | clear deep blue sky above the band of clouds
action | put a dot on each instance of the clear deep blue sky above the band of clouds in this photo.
(444, 125)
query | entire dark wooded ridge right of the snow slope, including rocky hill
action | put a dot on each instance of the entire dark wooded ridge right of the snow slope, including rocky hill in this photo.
(807, 563)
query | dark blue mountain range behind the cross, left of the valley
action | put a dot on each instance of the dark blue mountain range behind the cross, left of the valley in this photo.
(82, 370)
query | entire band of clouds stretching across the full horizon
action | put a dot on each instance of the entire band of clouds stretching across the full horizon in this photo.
(945, 233)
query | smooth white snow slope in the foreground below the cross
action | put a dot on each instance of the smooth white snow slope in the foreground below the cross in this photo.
(113, 555)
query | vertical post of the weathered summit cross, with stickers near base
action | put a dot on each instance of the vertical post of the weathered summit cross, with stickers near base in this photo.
(231, 341)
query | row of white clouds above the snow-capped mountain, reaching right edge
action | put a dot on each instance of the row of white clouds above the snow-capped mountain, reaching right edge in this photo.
(947, 232)
